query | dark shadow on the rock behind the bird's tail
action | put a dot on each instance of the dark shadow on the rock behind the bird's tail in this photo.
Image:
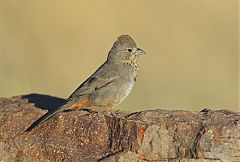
(45, 102)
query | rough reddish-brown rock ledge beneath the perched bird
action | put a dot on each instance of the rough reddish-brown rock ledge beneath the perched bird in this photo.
(151, 135)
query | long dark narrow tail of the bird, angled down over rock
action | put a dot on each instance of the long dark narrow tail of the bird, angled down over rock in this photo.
(45, 117)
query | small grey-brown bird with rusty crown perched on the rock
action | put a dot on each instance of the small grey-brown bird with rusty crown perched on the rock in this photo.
(109, 85)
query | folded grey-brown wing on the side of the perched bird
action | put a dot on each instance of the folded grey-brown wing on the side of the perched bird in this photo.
(98, 80)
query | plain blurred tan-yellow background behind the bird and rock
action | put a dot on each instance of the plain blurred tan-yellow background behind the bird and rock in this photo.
(50, 47)
